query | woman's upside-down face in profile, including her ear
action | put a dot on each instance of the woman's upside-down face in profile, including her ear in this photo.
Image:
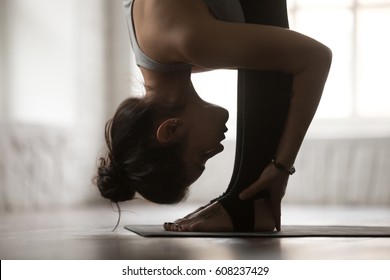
(200, 128)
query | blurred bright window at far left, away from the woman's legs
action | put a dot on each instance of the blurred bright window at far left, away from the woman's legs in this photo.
(38, 61)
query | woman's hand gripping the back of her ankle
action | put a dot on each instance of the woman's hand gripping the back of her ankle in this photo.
(274, 182)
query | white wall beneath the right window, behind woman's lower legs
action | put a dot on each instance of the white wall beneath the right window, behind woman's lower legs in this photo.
(337, 171)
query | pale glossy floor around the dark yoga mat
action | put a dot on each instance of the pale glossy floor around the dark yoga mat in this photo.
(86, 234)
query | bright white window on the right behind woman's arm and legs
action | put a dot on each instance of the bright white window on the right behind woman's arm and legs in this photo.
(357, 92)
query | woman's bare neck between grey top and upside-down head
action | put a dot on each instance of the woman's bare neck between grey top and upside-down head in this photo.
(172, 87)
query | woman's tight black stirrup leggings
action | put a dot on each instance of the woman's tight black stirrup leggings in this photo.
(262, 106)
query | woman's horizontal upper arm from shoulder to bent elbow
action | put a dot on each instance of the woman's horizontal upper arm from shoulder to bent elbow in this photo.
(214, 44)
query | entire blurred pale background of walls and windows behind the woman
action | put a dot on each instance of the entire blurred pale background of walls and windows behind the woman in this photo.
(66, 65)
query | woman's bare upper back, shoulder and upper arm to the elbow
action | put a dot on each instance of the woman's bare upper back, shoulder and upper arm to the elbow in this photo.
(172, 31)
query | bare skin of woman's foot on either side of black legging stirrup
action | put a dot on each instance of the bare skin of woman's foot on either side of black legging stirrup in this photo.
(215, 218)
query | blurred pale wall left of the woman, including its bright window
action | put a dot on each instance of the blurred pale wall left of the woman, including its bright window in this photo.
(64, 68)
